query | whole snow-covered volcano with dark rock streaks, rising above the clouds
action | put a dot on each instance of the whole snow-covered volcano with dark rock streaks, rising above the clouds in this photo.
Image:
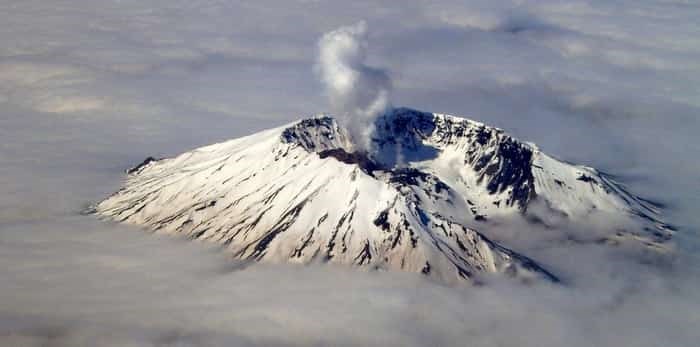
(301, 194)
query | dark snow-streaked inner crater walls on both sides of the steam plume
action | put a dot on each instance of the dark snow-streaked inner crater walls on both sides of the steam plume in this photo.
(402, 136)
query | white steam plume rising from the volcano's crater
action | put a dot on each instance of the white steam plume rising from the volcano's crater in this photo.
(357, 92)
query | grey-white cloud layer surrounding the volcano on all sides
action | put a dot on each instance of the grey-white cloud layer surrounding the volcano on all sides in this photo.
(89, 88)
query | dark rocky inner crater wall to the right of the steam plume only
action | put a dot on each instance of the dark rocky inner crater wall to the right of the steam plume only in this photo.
(502, 163)
